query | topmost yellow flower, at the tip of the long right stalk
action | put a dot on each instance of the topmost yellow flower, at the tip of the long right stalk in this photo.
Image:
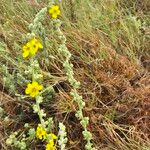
(54, 11)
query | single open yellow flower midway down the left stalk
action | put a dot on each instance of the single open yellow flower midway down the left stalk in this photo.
(33, 89)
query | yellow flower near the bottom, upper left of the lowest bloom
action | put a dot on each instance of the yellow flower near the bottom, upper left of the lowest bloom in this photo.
(40, 132)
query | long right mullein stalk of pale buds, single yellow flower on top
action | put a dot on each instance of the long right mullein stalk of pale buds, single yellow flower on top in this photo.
(68, 66)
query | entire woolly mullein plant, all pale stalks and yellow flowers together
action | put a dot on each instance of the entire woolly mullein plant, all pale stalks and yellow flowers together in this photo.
(34, 89)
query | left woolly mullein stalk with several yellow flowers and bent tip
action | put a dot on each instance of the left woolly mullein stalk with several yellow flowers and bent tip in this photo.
(34, 89)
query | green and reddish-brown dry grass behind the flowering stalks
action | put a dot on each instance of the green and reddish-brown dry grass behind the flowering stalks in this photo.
(111, 60)
